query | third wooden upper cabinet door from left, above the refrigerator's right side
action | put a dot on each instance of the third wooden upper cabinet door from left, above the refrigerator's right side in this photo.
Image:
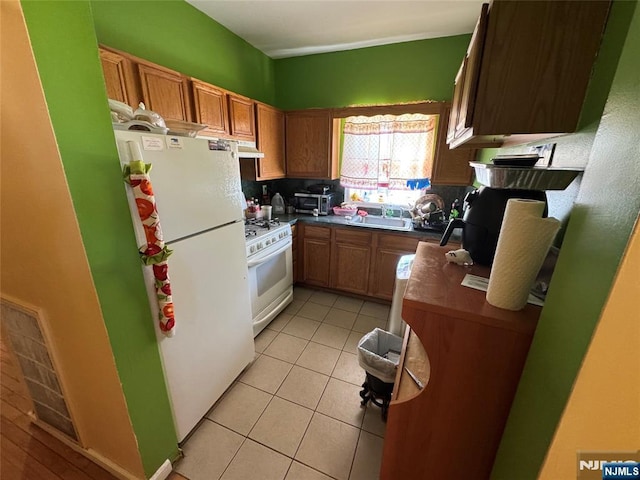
(210, 108)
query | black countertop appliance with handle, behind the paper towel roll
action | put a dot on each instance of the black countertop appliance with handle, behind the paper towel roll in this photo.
(482, 219)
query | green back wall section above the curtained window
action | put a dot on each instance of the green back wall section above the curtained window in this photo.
(402, 72)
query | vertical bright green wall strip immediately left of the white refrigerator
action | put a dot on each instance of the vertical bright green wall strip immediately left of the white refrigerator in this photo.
(71, 75)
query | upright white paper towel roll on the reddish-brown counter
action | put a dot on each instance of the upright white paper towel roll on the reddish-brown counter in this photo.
(523, 244)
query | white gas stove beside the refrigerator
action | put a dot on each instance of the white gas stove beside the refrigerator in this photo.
(270, 262)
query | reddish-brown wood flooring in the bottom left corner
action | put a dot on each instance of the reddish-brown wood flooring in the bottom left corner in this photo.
(26, 451)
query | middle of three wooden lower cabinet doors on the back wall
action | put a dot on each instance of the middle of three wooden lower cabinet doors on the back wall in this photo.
(351, 260)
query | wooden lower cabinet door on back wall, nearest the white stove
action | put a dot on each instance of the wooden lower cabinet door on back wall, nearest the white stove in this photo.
(316, 251)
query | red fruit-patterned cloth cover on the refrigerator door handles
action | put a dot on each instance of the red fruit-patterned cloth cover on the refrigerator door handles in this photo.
(155, 252)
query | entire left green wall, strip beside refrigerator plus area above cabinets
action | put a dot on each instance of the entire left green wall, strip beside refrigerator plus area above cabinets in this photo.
(64, 35)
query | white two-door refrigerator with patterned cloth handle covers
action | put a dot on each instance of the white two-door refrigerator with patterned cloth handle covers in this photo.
(200, 203)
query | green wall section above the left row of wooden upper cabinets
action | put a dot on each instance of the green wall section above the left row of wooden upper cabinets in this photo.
(178, 36)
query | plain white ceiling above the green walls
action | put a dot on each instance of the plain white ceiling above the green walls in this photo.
(301, 27)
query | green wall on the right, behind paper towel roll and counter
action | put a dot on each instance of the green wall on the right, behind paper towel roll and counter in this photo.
(600, 225)
